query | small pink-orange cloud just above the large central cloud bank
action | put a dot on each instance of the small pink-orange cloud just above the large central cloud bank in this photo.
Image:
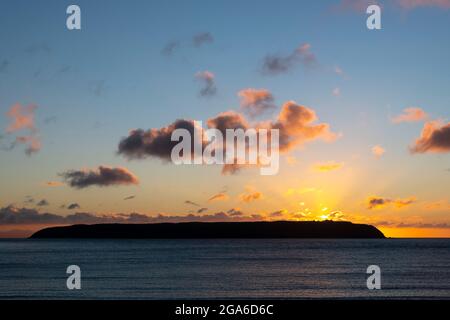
(255, 102)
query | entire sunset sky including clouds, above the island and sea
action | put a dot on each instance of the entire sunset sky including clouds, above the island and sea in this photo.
(372, 147)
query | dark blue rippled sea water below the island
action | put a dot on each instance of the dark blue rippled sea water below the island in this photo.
(222, 269)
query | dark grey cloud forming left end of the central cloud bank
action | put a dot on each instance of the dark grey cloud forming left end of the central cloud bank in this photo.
(155, 142)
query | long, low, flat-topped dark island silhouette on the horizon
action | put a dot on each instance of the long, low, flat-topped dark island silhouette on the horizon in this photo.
(205, 230)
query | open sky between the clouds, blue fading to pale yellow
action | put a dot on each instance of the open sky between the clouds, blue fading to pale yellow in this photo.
(92, 86)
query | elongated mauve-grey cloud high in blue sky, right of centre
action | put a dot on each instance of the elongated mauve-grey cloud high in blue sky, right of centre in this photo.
(277, 64)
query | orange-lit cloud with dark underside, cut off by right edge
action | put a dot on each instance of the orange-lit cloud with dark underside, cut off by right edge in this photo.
(435, 138)
